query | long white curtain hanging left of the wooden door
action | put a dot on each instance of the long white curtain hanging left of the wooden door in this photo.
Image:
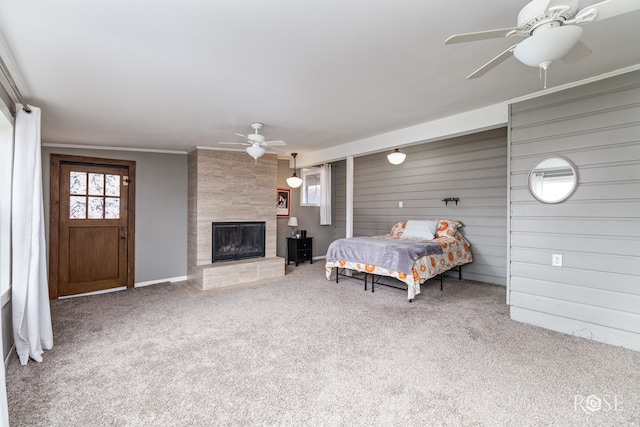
(32, 331)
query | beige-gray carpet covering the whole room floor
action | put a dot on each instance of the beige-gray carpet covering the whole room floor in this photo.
(306, 351)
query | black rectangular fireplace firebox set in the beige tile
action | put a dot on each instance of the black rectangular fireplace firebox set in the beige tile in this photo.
(237, 240)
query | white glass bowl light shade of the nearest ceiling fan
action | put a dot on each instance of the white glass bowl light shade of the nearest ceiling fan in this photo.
(548, 46)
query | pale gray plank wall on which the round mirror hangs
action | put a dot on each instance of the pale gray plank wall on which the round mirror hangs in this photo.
(596, 294)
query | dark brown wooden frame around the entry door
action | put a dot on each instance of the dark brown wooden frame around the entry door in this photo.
(54, 214)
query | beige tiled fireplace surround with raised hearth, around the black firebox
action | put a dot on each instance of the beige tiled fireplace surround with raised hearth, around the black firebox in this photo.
(229, 186)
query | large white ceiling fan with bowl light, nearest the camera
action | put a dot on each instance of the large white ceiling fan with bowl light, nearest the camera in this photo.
(551, 31)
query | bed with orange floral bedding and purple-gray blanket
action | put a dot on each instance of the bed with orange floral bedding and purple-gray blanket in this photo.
(412, 252)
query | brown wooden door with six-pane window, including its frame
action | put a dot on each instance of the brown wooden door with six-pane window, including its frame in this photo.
(91, 238)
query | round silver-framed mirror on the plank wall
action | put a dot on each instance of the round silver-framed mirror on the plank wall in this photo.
(553, 179)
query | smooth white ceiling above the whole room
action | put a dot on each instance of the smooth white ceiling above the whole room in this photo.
(171, 75)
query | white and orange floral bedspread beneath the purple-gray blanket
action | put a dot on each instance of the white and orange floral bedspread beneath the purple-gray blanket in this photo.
(456, 251)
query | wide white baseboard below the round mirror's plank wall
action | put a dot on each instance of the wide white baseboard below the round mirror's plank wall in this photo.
(577, 328)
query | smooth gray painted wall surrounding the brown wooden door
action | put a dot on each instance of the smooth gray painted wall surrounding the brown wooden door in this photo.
(161, 209)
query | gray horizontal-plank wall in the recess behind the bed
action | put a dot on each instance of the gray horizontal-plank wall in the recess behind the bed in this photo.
(472, 167)
